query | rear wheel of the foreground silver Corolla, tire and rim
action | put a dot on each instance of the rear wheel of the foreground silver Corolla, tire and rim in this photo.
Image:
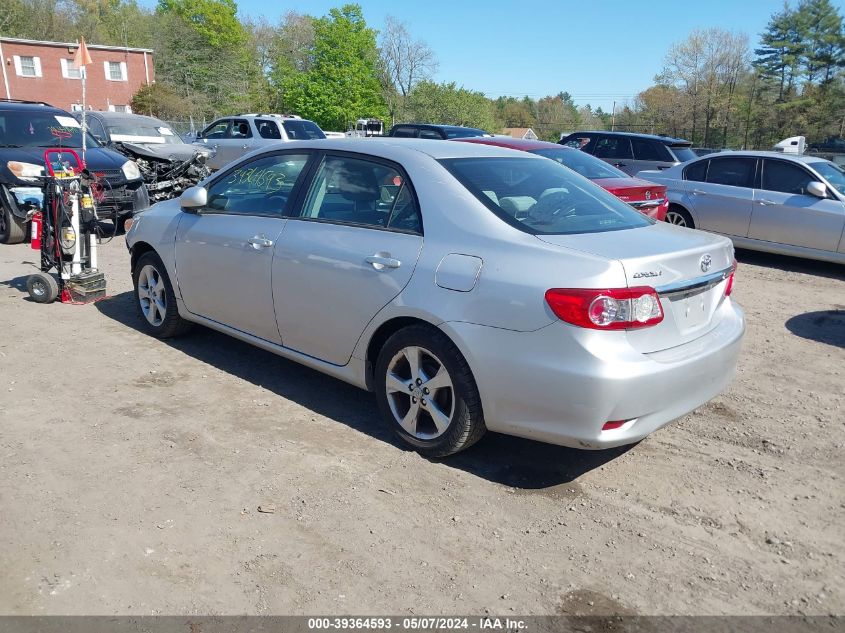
(426, 392)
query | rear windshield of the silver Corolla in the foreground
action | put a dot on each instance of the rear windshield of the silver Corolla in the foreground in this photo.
(543, 197)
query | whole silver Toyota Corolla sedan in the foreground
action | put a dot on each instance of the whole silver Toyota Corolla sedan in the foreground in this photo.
(470, 287)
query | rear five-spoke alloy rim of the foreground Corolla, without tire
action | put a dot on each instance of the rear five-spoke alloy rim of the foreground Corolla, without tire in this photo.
(420, 393)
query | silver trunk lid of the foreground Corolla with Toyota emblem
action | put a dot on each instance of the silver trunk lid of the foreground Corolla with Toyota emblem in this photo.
(686, 267)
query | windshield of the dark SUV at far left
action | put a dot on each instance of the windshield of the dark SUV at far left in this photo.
(31, 128)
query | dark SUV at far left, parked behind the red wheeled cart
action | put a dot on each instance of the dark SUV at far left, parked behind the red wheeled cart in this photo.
(27, 129)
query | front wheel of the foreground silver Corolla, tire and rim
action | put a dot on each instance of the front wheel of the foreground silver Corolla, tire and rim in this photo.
(155, 300)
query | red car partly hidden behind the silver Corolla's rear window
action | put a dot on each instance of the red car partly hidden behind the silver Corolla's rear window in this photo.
(646, 197)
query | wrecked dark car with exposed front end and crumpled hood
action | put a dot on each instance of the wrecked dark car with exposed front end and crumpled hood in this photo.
(168, 164)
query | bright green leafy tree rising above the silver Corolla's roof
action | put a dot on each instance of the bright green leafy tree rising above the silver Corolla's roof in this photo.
(341, 83)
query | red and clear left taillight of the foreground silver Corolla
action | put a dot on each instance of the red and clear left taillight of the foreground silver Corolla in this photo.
(607, 309)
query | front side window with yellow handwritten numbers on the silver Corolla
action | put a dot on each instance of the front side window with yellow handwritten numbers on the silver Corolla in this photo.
(259, 187)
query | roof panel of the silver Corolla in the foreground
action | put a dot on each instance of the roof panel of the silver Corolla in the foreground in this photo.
(393, 148)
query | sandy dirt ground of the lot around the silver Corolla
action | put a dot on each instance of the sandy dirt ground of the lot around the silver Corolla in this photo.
(131, 472)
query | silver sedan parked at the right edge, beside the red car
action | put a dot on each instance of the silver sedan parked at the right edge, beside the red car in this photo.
(767, 201)
